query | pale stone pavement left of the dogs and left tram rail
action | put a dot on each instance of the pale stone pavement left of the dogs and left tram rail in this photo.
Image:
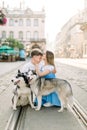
(6, 90)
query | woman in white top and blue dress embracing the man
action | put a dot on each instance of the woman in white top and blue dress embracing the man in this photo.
(48, 70)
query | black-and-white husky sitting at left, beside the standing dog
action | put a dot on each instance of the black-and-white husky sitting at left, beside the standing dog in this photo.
(22, 91)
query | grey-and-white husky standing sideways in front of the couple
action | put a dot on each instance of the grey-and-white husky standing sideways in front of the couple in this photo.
(41, 86)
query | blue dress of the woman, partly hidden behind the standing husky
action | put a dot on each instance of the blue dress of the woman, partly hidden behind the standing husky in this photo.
(52, 98)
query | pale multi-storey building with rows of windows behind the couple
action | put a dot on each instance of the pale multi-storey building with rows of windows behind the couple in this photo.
(26, 26)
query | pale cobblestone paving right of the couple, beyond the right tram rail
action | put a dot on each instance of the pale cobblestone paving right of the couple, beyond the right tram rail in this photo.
(75, 71)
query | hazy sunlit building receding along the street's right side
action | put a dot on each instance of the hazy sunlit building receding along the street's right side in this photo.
(72, 40)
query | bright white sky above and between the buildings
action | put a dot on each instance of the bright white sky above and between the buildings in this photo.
(58, 12)
